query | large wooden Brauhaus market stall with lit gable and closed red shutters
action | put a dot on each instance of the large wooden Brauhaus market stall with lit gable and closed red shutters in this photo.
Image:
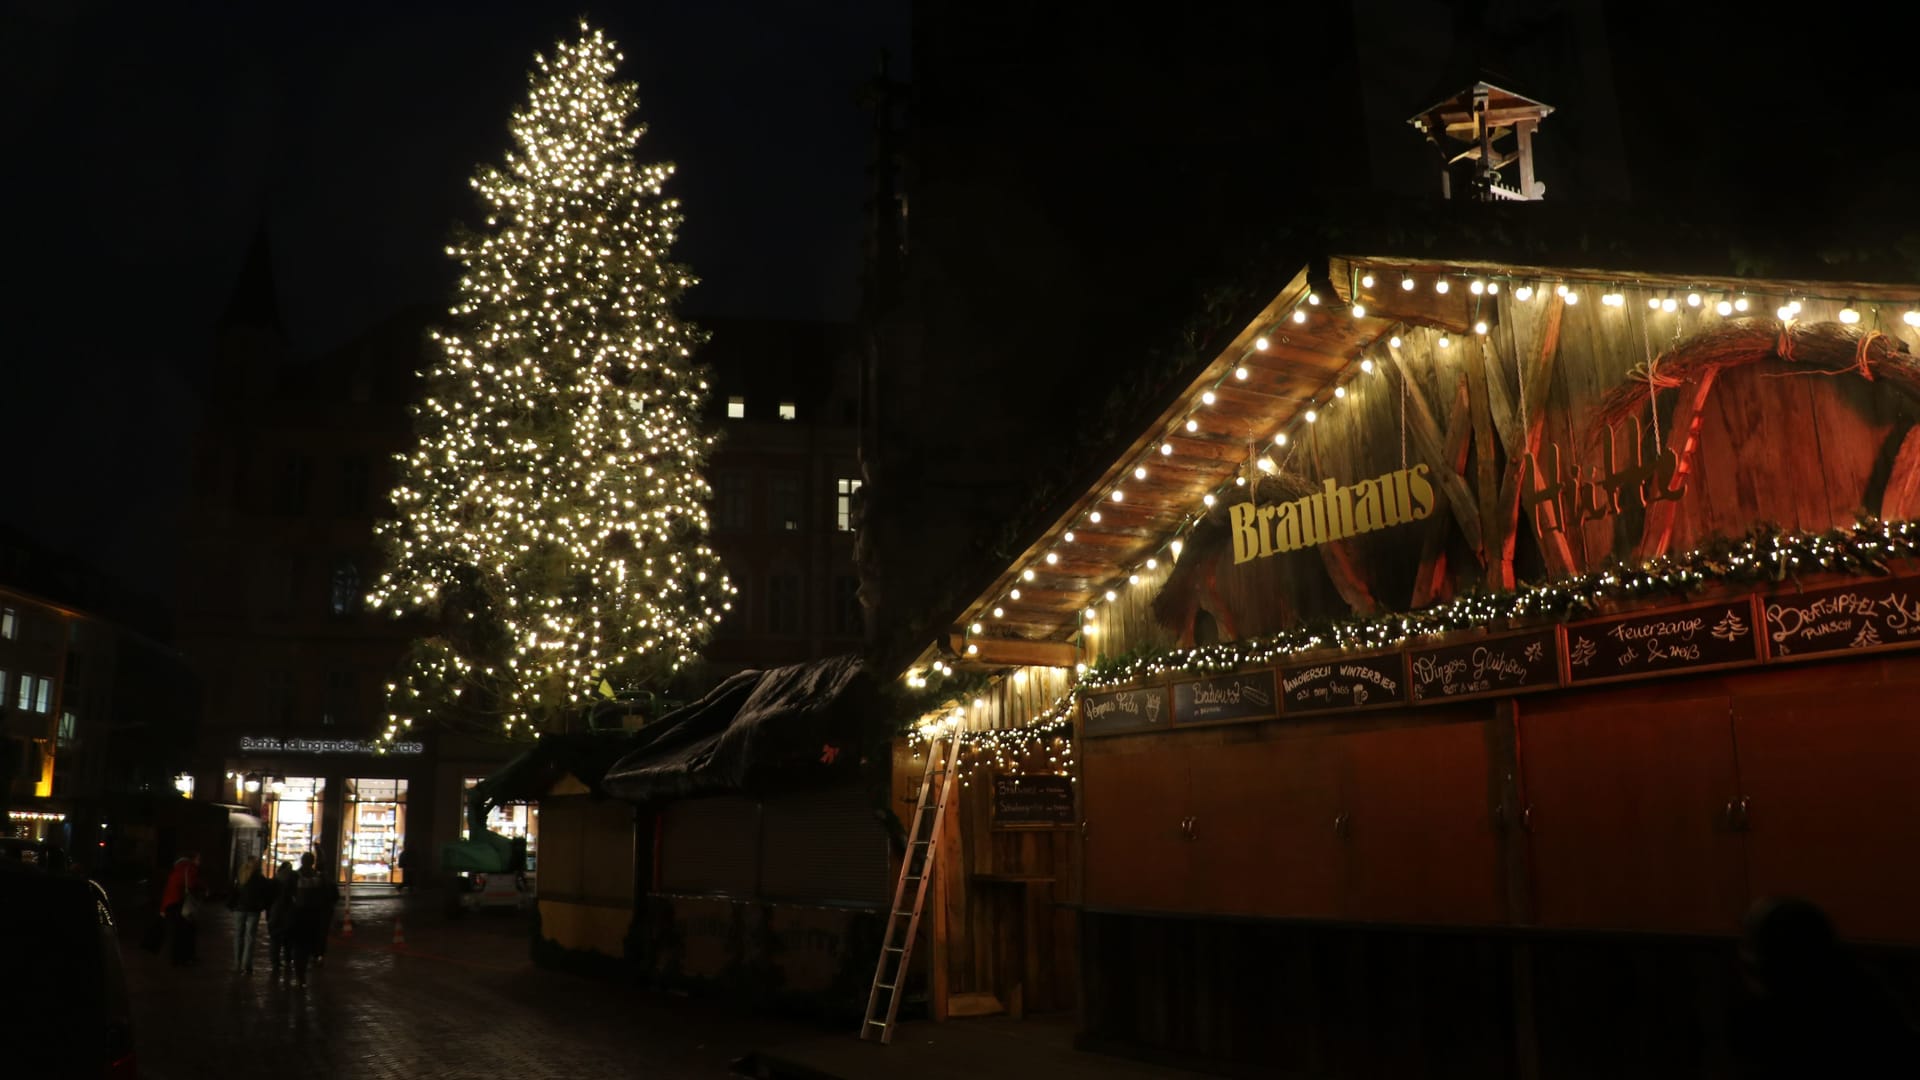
(1462, 654)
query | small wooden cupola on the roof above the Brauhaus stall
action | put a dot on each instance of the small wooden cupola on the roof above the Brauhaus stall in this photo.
(1472, 132)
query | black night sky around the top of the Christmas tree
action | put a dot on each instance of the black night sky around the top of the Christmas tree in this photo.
(149, 143)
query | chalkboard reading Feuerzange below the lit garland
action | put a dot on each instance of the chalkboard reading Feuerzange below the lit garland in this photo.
(1664, 643)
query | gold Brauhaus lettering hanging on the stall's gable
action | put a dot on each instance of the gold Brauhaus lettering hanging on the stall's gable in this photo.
(1333, 514)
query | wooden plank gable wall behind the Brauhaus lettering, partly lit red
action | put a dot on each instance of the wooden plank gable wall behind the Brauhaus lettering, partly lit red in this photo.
(1775, 447)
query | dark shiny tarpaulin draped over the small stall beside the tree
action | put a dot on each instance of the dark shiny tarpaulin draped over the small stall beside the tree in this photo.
(759, 731)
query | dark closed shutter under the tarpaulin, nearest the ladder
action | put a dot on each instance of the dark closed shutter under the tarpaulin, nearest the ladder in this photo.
(825, 848)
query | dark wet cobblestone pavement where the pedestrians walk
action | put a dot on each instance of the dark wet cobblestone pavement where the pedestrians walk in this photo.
(458, 1000)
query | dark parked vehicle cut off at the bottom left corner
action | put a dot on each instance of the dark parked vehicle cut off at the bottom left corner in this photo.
(64, 994)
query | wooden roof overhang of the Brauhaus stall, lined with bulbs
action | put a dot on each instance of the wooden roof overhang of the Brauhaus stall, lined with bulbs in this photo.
(1197, 447)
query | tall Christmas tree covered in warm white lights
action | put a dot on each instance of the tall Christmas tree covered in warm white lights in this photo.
(552, 516)
